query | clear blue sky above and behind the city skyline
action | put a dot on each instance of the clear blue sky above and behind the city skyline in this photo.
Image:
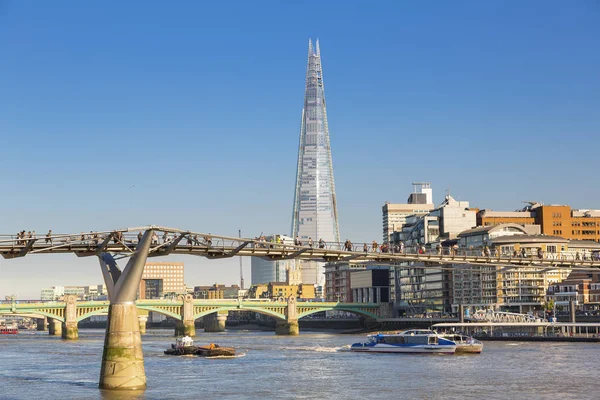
(187, 114)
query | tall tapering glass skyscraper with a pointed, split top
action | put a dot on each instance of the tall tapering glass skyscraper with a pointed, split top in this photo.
(315, 206)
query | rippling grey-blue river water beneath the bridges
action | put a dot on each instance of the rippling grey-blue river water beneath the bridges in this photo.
(34, 365)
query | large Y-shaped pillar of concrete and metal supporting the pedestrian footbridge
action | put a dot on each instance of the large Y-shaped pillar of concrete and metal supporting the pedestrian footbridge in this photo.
(123, 359)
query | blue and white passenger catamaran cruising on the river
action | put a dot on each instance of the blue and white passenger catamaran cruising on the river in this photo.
(411, 341)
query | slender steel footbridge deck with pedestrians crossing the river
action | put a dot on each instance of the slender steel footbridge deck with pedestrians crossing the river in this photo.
(124, 242)
